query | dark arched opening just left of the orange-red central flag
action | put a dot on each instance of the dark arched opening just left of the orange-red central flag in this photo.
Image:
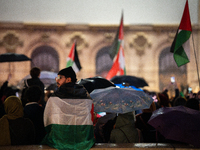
(103, 62)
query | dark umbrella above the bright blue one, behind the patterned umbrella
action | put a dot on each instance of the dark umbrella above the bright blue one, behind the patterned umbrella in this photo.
(131, 80)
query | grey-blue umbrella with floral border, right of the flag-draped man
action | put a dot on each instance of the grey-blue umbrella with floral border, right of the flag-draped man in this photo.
(119, 100)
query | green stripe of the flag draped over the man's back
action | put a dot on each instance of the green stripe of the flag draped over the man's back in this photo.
(58, 138)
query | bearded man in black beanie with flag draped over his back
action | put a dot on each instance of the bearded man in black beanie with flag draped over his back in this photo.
(68, 115)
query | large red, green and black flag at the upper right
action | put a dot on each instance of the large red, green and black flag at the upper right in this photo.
(181, 41)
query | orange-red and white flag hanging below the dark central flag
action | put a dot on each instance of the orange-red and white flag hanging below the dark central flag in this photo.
(118, 67)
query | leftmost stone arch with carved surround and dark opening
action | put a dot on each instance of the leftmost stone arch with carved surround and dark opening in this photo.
(47, 53)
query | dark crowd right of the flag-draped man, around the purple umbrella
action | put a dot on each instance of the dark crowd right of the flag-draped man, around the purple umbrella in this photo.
(106, 127)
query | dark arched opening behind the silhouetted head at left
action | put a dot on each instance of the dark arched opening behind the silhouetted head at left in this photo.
(46, 58)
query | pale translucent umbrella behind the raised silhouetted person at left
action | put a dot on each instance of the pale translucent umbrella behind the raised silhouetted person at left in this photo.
(47, 77)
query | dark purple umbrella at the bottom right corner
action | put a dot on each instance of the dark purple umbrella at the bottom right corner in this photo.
(177, 123)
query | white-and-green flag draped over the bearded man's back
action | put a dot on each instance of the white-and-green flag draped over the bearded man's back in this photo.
(68, 123)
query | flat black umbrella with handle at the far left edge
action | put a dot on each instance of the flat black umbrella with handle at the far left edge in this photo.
(13, 57)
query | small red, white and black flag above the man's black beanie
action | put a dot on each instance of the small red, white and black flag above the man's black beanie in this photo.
(73, 60)
